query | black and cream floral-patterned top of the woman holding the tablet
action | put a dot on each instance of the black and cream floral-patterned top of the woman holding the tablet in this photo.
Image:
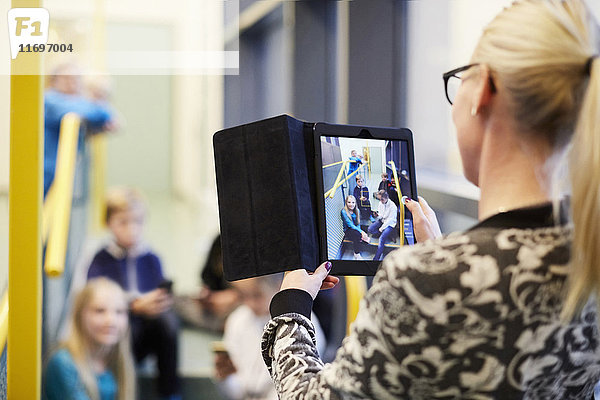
(473, 315)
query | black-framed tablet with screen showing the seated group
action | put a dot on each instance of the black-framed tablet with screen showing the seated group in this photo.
(363, 175)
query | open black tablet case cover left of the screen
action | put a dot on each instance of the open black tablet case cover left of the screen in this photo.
(266, 189)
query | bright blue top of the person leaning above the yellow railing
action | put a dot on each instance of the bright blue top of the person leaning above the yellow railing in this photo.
(56, 105)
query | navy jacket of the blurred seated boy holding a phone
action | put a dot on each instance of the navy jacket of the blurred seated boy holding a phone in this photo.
(112, 264)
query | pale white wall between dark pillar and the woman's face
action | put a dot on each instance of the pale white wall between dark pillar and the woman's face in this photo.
(442, 36)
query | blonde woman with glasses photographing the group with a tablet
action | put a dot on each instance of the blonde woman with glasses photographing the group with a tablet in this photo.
(507, 309)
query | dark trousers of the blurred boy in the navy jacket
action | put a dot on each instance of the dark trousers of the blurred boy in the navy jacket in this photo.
(158, 336)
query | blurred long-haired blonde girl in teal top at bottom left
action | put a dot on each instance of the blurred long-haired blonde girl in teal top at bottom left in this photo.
(95, 360)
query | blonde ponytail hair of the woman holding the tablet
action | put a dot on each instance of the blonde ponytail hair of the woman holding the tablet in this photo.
(539, 50)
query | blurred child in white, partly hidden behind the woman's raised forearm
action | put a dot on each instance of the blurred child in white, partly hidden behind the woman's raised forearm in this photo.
(239, 367)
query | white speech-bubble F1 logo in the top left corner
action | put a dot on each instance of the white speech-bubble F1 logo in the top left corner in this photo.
(27, 26)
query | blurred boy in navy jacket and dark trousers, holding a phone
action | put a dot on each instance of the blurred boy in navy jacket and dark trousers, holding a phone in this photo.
(130, 263)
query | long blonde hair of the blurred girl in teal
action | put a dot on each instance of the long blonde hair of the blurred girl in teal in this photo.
(119, 359)
